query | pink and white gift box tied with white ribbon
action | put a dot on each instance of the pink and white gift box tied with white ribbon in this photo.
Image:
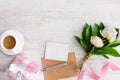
(23, 68)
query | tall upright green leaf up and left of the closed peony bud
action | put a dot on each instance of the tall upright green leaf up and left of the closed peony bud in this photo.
(87, 32)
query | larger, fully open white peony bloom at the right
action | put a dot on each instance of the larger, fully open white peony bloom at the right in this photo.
(109, 33)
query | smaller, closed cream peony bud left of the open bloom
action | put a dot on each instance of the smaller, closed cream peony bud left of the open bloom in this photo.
(96, 41)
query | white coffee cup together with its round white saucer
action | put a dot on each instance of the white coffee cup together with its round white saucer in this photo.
(11, 42)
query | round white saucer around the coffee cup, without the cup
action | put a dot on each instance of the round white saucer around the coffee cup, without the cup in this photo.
(19, 42)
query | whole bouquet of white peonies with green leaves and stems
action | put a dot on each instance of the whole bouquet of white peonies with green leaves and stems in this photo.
(100, 40)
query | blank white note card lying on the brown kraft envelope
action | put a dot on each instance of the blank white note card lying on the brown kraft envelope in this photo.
(56, 51)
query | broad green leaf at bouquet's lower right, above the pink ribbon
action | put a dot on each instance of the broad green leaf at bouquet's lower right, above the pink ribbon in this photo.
(110, 51)
